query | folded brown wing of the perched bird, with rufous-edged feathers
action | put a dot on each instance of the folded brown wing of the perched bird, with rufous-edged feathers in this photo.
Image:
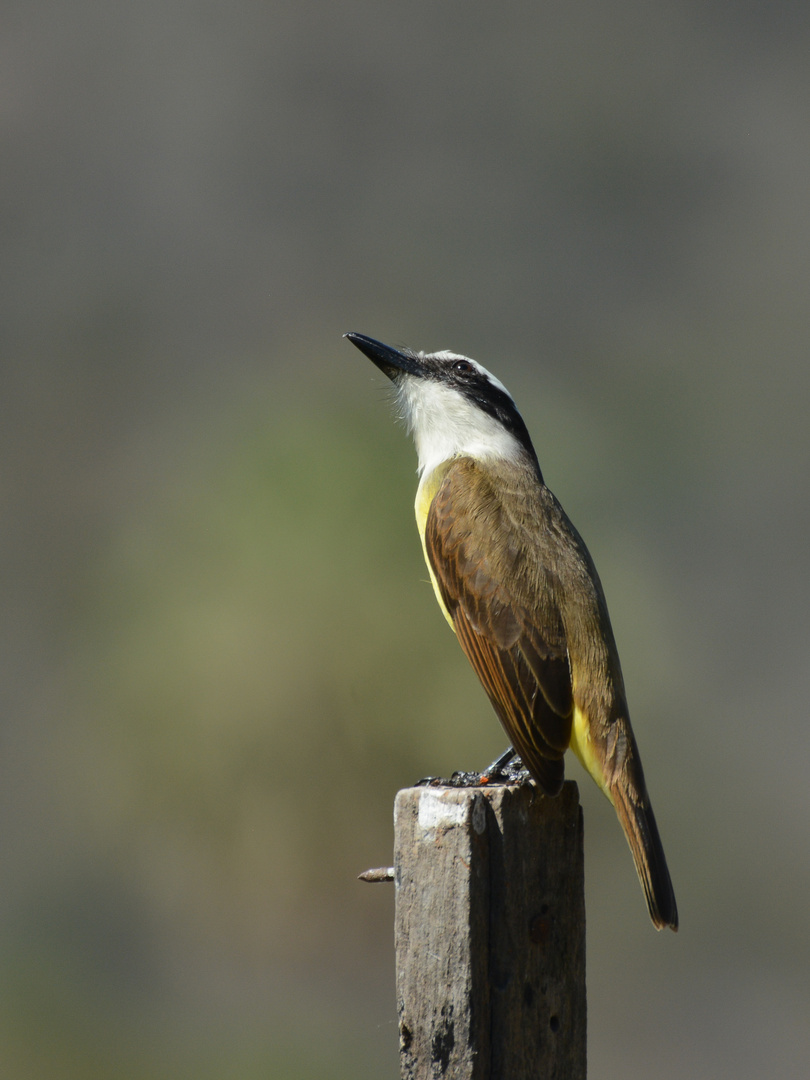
(517, 646)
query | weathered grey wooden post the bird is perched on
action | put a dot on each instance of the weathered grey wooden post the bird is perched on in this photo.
(491, 934)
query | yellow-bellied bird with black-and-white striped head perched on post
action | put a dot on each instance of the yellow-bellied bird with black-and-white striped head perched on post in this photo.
(520, 589)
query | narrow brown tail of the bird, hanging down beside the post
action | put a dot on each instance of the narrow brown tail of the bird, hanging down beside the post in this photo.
(636, 814)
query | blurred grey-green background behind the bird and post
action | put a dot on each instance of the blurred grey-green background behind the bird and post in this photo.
(220, 656)
